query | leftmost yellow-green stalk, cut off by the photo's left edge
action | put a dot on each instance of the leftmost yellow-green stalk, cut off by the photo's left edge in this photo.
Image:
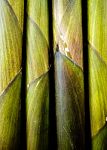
(10, 72)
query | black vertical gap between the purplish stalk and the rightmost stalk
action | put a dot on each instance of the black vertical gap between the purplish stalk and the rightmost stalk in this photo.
(86, 73)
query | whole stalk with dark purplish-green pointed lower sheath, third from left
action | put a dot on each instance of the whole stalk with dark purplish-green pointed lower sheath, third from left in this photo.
(69, 75)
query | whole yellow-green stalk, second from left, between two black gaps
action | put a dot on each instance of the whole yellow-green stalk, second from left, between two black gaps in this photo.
(37, 75)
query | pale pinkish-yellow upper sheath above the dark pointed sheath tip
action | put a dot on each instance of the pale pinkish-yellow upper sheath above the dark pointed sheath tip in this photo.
(67, 28)
